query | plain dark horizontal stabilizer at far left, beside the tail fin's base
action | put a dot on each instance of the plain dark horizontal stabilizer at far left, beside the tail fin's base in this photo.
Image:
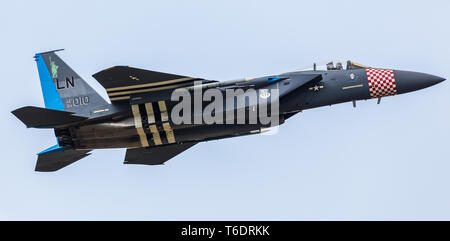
(45, 118)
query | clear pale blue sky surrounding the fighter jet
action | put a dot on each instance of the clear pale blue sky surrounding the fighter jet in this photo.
(373, 162)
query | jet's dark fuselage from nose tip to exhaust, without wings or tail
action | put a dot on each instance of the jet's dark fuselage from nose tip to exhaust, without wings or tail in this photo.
(146, 124)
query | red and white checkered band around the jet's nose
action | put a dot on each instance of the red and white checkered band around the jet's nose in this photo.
(381, 82)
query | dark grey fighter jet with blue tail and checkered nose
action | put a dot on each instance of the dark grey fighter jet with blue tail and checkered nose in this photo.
(141, 117)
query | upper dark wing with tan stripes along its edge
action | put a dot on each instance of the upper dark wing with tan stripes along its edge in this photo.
(123, 82)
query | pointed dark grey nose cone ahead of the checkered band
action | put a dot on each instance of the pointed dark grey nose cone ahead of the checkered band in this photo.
(407, 81)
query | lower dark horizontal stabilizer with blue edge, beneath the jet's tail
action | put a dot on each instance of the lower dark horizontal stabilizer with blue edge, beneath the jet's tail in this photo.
(57, 158)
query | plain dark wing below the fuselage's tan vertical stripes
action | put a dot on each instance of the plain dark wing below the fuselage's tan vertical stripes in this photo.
(155, 155)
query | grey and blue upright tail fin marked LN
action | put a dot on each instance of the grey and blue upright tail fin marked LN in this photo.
(63, 89)
